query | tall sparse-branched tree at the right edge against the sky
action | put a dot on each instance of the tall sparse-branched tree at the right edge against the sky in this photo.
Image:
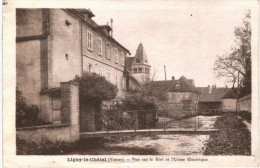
(238, 60)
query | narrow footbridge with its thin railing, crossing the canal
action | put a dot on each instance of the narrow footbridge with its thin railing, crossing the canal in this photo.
(147, 122)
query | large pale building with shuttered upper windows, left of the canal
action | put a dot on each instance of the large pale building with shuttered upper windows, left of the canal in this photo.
(55, 45)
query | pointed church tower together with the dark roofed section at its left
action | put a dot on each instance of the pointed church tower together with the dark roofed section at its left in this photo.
(138, 67)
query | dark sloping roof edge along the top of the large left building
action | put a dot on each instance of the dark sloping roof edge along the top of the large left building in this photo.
(80, 17)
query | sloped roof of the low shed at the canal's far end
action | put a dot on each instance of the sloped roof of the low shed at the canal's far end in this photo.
(214, 95)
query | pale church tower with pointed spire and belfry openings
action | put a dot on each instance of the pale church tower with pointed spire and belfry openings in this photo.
(141, 68)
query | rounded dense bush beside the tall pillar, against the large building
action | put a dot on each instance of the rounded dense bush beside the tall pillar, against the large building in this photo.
(95, 87)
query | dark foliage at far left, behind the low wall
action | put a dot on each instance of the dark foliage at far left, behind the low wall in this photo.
(26, 115)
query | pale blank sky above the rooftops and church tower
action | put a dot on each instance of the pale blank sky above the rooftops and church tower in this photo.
(185, 36)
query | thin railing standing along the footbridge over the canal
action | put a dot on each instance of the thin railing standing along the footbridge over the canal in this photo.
(112, 120)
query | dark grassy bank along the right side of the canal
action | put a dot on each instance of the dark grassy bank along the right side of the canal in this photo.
(233, 139)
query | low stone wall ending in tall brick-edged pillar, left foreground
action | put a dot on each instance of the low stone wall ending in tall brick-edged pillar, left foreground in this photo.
(68, 130)
